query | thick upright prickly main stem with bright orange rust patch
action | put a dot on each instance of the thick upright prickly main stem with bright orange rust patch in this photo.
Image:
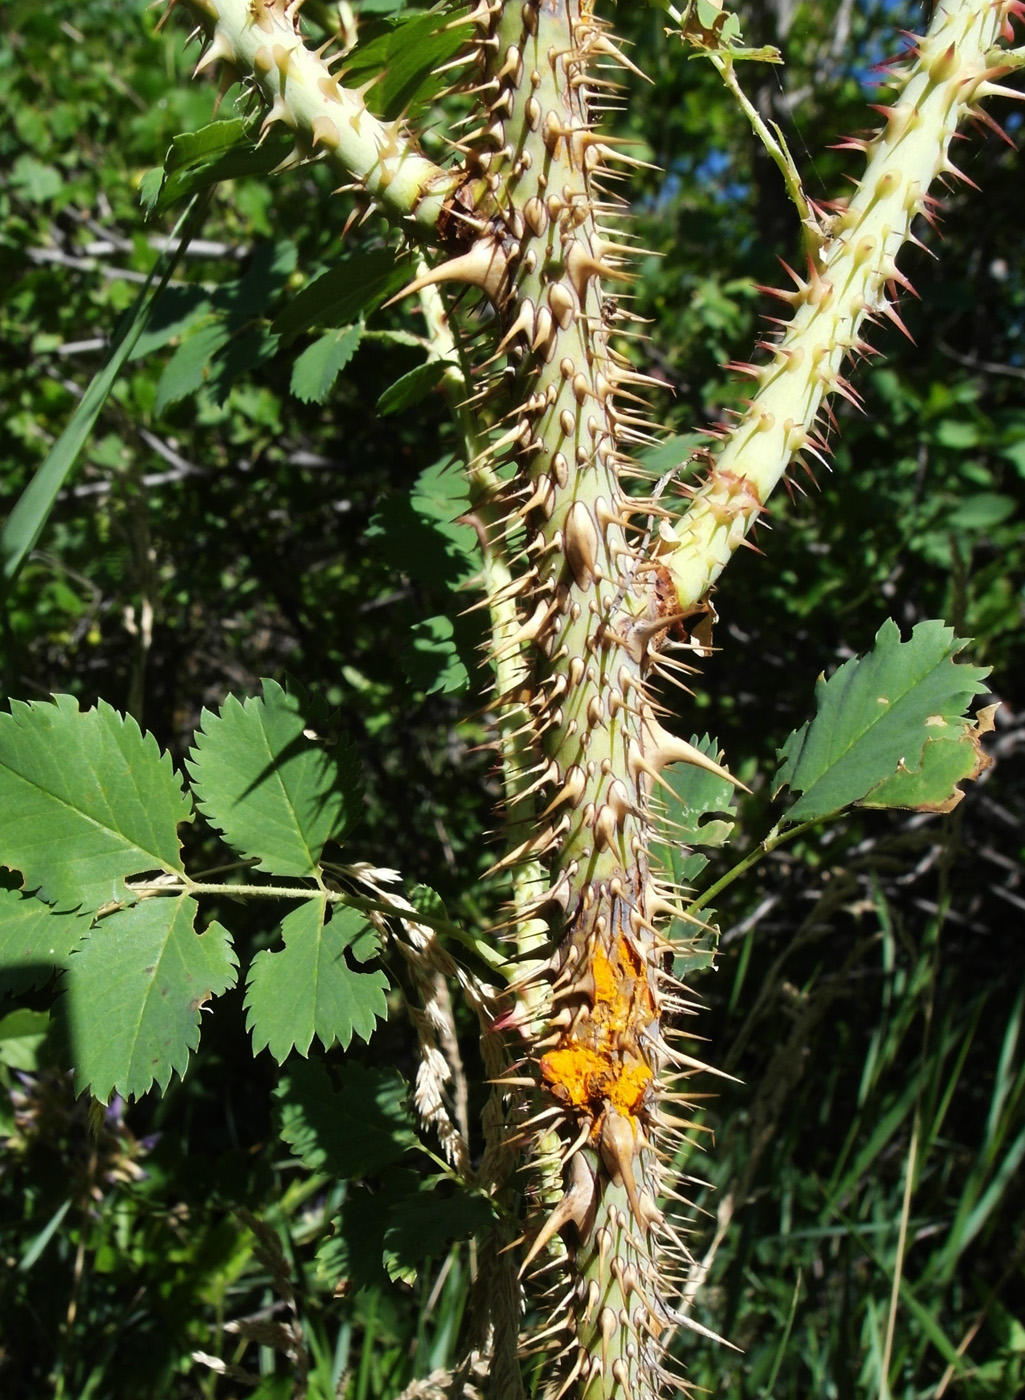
(593, 618)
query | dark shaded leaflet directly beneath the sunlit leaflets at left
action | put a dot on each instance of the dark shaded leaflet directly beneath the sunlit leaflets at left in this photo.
(352, 1132)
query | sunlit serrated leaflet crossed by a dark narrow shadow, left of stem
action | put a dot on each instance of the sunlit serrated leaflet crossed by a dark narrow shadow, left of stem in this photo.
(274, 794)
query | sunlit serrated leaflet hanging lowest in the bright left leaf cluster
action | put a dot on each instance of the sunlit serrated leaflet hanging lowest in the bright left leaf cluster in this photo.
(134, 995)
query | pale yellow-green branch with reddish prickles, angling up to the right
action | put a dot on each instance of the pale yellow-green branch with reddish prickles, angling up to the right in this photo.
(852, 279)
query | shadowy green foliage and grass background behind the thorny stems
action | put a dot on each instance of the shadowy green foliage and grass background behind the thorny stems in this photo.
(270, 521)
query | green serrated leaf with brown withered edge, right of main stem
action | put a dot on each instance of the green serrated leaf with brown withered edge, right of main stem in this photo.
(890, 730)
